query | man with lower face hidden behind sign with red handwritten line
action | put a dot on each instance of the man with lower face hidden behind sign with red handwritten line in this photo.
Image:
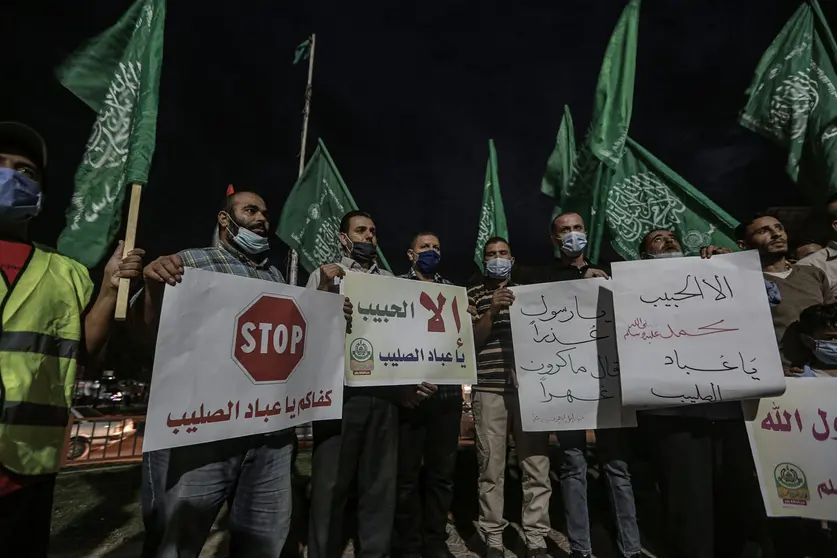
(701, 455)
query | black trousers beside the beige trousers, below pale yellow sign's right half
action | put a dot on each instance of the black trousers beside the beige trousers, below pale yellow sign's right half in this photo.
(428, 434)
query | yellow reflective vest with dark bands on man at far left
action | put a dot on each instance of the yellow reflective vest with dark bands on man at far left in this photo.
(40, 339)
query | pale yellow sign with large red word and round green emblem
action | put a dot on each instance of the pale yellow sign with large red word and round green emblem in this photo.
(407, 332)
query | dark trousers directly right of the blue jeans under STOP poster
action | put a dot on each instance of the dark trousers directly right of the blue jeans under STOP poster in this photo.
(358, 452)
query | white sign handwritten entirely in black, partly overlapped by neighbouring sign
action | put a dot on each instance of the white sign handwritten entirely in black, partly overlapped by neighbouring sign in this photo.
(565, 355)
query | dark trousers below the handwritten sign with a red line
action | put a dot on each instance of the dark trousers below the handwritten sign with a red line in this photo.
(711, 500)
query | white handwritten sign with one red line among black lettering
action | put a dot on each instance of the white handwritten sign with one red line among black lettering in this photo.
(693, 331)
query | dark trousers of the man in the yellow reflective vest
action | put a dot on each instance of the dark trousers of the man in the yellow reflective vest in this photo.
(25, 516)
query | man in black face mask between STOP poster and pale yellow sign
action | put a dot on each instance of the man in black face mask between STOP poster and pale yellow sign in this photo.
(363, 446)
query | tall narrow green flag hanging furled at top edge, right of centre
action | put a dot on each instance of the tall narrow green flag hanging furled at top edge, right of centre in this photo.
(615, 89)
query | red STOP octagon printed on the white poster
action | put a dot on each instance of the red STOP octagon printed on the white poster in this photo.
(270, 338)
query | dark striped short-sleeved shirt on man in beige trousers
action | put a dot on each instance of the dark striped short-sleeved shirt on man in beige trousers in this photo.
(495, 361)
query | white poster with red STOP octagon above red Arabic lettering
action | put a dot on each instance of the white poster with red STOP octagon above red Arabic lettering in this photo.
(238, 356)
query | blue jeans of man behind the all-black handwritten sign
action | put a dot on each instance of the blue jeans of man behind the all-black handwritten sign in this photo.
(573, 474)
